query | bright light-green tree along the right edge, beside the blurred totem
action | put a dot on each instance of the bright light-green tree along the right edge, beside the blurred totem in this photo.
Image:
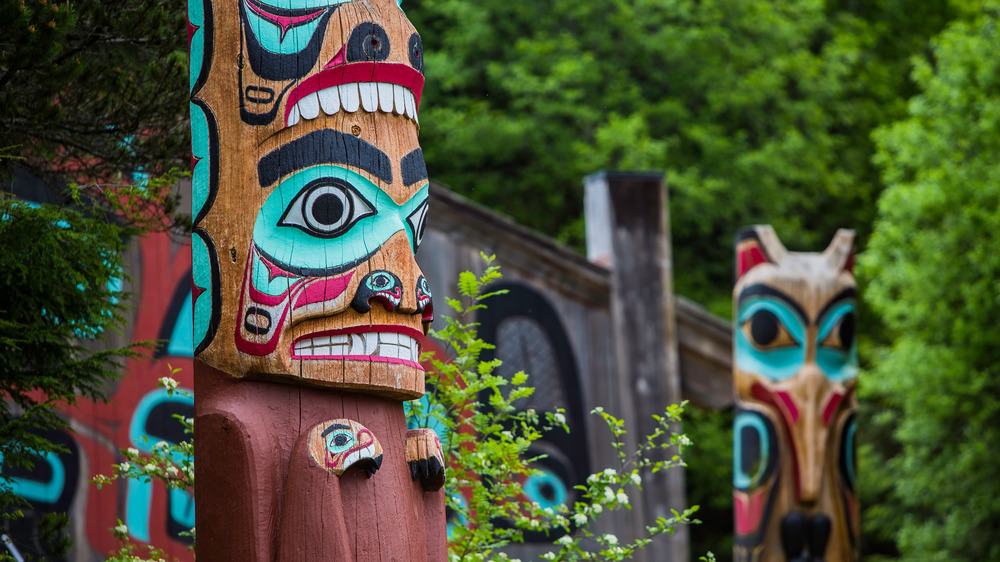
(932, 267)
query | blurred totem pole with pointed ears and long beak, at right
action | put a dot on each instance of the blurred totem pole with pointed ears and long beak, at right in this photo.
(795, 374)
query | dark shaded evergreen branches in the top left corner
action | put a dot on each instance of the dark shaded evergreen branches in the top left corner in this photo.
(94, 88)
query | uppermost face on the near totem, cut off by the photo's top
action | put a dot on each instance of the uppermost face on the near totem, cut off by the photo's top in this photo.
(301, 59)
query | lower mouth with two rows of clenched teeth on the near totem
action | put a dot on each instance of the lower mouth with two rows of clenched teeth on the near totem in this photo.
(380, 343)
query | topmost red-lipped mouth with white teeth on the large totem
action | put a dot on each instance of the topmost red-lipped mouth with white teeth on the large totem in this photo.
(386, 87)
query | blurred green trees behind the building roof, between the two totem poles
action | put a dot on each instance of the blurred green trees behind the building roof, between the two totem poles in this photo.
(758, 111)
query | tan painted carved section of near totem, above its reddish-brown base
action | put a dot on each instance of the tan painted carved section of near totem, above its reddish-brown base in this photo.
(310, 193)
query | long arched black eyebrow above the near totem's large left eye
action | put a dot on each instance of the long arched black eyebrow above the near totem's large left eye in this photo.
(325, 146)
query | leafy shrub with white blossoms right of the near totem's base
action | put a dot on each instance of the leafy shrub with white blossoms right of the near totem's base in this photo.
(486, 443)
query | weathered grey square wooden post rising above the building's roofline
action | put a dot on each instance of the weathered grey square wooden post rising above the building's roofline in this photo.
(628, 230)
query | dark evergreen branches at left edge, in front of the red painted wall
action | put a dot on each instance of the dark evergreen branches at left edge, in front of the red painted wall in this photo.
(57, 303)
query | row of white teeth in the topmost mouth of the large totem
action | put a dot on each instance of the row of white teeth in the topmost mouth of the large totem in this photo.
(370, 96)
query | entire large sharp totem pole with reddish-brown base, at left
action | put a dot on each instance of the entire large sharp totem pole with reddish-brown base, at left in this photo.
(309, 199)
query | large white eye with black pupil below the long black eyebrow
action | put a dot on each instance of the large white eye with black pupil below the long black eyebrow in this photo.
(326, 208)
